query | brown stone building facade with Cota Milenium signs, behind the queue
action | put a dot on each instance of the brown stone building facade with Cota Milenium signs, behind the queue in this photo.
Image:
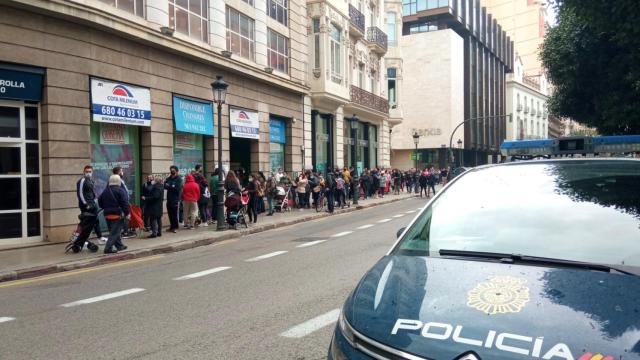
(127, 83)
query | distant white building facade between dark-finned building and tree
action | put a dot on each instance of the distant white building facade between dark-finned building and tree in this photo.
(527, 102)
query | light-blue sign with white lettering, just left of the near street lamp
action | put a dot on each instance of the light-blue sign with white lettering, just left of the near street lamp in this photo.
(193, 116)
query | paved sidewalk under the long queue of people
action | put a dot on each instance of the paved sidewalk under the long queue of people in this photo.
(35, 261)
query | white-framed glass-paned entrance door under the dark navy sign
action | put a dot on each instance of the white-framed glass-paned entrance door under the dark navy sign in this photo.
(20, 208)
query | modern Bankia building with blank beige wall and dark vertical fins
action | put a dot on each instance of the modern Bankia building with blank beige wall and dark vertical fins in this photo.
(455, 59)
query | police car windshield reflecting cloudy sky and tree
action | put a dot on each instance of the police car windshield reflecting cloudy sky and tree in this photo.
(580, 210)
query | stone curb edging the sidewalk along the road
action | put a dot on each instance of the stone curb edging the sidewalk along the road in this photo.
(41, 270)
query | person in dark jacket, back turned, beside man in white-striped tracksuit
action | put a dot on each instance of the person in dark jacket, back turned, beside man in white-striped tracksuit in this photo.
(116, 209)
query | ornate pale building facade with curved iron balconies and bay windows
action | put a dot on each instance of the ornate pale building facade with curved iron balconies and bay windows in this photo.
(348, 122)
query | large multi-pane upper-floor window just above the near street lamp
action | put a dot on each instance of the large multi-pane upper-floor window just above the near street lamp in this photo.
(241, 34)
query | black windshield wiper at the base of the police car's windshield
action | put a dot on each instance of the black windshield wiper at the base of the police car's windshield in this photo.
(513, 258)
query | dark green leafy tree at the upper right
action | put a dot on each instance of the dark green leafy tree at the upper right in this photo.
(592, 58)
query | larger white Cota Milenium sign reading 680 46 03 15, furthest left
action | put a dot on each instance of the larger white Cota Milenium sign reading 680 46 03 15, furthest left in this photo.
(118, 103)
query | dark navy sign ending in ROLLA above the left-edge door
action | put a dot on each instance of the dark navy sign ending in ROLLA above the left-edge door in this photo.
(20, 85)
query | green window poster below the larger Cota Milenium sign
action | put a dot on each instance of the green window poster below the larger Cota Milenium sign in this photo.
(105, 157)
